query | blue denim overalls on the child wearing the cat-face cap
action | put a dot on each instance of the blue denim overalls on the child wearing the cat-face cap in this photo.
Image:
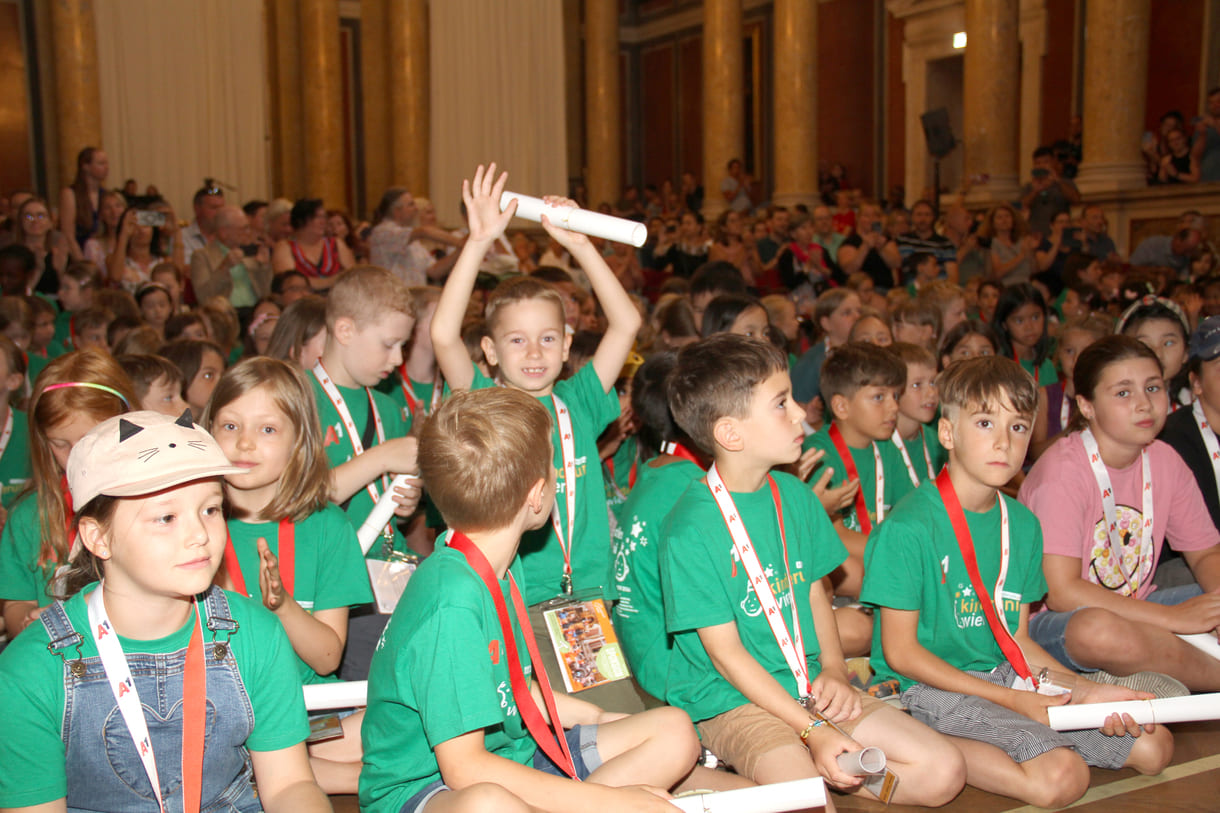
(104, 772)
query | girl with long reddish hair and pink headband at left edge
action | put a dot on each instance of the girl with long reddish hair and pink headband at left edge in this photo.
(75, 394)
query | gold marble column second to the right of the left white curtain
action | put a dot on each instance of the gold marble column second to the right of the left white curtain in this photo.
(323, 115)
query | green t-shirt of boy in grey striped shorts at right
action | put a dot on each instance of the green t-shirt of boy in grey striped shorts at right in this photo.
(913, 563)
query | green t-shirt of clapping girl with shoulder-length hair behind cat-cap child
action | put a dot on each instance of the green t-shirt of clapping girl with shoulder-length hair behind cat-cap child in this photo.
(329, 571)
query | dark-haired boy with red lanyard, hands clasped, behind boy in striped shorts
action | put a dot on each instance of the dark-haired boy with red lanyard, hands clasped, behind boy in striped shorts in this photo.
(862, 384)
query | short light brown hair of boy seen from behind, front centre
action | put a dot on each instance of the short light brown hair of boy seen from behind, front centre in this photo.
(481, 453)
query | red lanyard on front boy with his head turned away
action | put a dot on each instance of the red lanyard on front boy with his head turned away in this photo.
(553, 744)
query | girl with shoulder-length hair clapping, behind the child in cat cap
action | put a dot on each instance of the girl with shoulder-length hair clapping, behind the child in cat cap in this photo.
(289, 544)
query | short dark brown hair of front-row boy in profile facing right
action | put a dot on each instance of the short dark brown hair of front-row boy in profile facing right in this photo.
(717, 378)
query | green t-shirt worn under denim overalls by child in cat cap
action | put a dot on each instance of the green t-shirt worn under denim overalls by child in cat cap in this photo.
(32, 696)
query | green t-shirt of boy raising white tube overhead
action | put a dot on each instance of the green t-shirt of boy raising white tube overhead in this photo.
(592, 410)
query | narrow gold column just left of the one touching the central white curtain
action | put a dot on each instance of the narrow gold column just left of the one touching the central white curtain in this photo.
(375, 90)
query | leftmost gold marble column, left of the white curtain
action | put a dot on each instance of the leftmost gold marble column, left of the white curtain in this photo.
(77, 98)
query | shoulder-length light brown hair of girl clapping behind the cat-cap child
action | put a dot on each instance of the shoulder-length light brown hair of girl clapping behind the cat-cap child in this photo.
(306, 485)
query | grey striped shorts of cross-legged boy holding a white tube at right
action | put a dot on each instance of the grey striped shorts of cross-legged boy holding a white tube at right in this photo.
(974, 718)
